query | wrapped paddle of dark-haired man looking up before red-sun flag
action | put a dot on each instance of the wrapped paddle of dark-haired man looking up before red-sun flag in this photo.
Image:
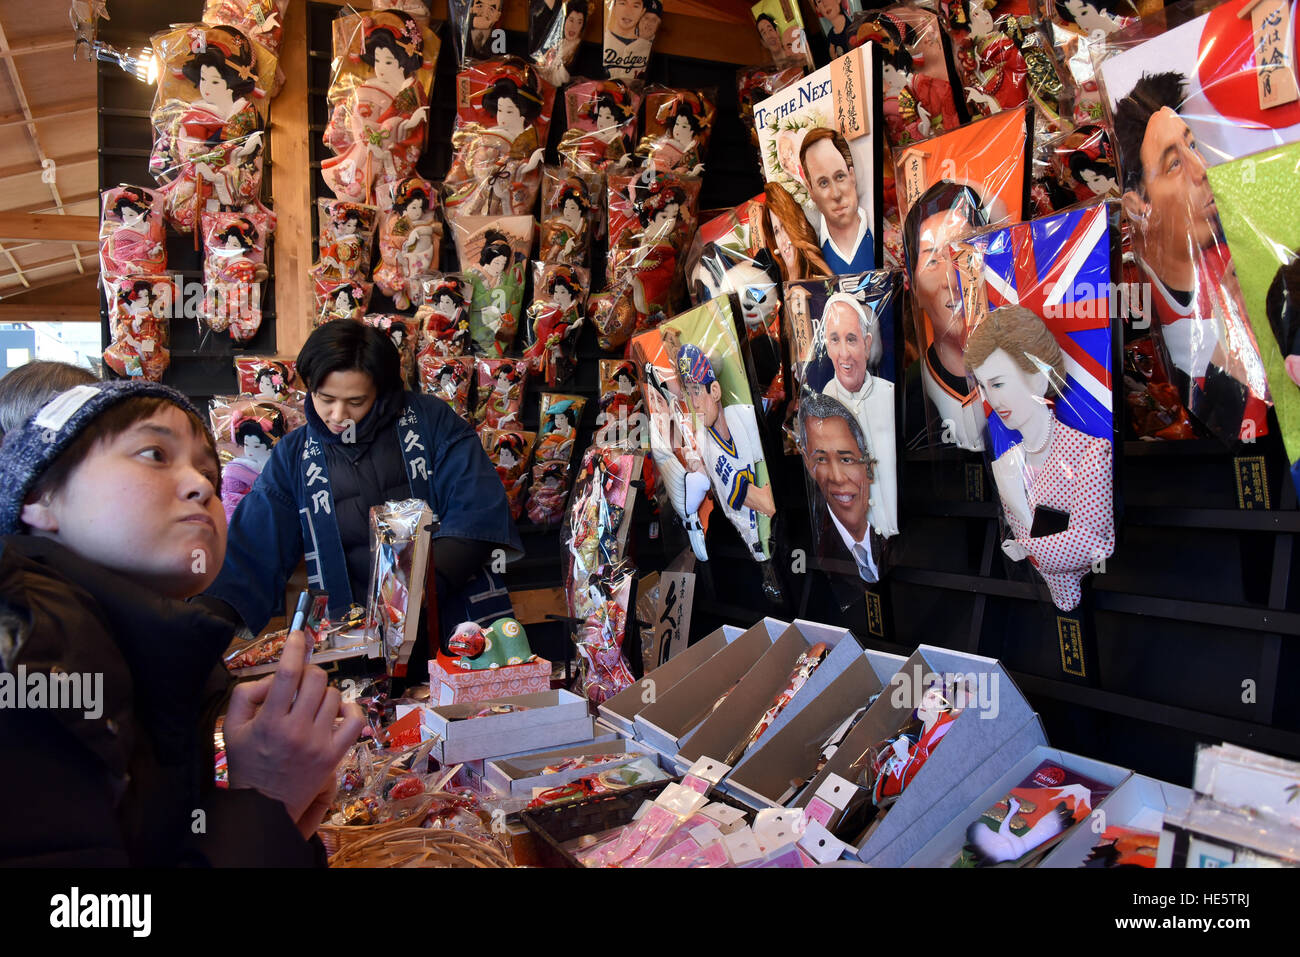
(1194, 97)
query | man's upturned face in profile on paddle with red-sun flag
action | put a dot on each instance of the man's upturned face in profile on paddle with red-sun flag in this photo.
(1180, 203)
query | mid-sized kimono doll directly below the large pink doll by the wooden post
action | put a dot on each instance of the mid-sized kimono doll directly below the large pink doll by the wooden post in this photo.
(410, 241)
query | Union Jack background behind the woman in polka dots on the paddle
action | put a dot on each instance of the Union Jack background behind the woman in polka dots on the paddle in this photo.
(1060, 269)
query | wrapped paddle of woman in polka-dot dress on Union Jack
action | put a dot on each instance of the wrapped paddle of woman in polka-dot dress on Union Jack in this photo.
(1039, 347)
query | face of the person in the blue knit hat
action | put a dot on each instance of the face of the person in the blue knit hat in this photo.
(145, 504)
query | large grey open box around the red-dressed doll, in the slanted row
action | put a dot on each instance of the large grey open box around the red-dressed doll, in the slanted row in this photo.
(987, 739)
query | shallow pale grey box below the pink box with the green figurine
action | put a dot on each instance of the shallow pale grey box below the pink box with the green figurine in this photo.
(553, 720)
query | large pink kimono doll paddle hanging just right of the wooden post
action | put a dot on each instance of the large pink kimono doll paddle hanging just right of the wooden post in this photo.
(379, 102)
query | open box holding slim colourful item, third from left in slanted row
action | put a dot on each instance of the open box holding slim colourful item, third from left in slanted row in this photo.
(736, 717)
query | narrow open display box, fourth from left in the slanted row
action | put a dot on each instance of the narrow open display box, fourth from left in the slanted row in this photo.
(764, 776)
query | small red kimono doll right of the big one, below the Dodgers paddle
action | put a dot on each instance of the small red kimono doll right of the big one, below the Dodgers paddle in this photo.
(603, 116)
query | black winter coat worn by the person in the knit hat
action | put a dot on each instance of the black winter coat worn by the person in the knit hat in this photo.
(123, 789)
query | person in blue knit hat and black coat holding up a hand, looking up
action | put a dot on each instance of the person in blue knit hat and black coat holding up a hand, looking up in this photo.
(111, 518)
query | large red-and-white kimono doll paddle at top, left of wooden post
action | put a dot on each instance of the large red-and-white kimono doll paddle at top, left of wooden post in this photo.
(209, 120)
